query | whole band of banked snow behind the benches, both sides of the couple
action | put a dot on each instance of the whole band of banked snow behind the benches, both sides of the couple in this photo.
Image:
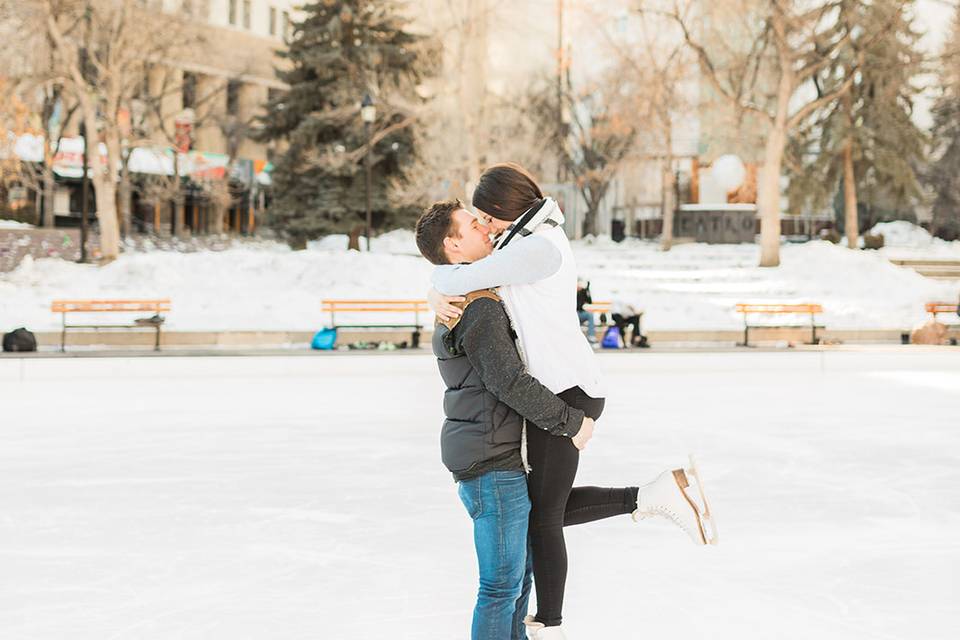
(267, 286)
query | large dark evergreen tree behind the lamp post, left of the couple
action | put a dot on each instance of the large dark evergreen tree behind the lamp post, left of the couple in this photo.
(341, 51)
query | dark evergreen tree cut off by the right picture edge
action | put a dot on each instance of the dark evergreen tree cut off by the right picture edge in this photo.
(943, 176)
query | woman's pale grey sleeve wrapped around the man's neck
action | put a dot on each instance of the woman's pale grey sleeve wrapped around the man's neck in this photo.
(523, 261)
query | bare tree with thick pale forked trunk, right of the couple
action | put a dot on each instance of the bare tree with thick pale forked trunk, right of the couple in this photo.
(761, 58)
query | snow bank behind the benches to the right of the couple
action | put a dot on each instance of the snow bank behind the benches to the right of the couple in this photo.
(697, 286)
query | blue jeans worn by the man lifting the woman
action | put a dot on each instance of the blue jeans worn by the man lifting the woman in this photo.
(499, 505)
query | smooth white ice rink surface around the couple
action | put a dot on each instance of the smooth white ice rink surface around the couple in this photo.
(304, 498)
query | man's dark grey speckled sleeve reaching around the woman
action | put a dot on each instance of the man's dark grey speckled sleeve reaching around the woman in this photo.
(485, 338)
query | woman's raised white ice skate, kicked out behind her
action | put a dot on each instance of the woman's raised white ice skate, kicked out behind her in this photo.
(667, 497)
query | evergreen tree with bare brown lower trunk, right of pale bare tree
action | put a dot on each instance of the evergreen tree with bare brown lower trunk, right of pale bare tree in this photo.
(864, 148)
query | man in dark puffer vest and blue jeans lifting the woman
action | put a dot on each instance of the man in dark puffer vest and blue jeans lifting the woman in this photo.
(488, 396)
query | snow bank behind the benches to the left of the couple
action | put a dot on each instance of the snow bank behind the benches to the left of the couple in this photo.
(249, 287)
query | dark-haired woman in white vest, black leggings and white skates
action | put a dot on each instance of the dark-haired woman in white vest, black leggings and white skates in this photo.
(534, 267)
